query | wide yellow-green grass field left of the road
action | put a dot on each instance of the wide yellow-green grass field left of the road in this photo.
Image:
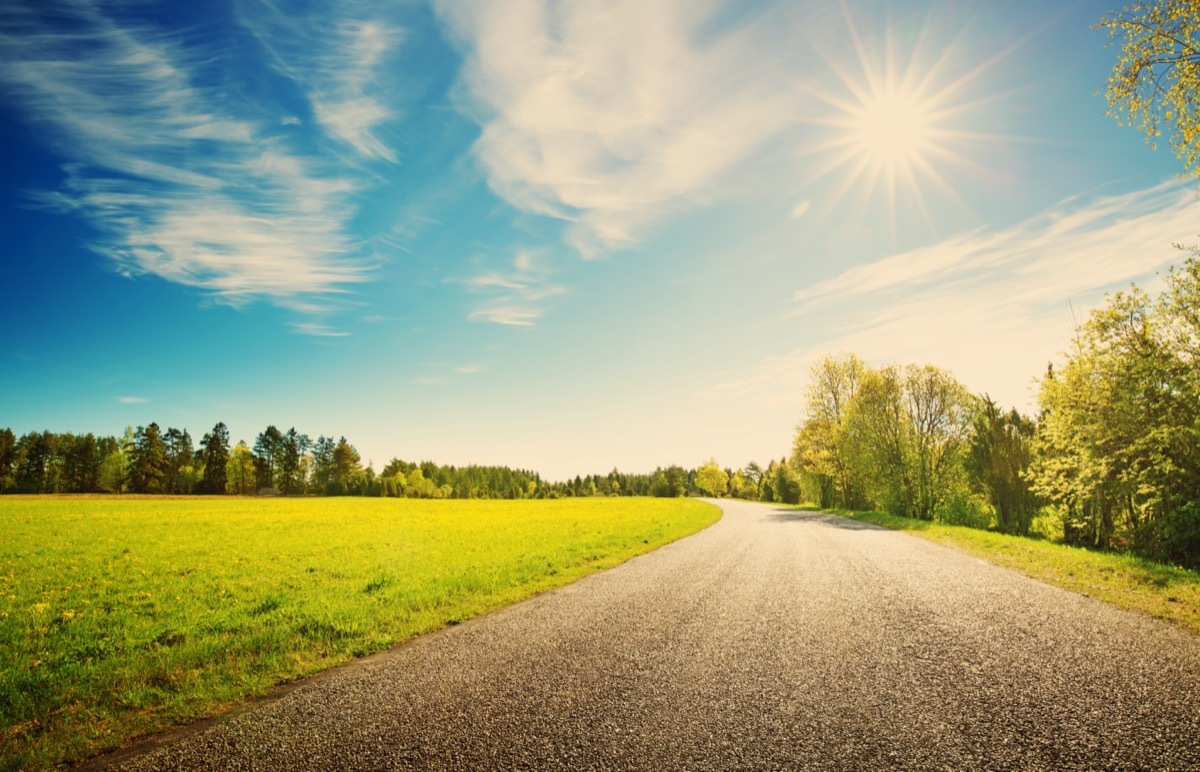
(124, 617)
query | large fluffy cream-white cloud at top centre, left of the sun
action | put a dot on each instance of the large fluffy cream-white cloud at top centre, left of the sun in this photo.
(615, 115)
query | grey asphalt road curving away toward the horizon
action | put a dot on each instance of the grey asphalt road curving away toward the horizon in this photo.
(775, 639)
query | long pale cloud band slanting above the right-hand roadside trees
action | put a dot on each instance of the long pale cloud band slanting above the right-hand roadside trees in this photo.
(993, 307)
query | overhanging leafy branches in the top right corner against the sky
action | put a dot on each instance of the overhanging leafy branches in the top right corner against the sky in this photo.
(1155, 83)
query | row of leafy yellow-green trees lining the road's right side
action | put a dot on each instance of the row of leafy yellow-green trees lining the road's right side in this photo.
(1112, 458)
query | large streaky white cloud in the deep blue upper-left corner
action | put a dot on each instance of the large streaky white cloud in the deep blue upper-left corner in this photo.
(183, 181)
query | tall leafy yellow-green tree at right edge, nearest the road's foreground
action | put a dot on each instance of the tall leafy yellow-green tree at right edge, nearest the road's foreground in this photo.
(1119, 441)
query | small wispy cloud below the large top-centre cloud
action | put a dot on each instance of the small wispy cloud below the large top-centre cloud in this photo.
(518, 297)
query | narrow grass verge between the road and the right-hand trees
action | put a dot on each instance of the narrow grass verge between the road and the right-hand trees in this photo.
(1167, 593)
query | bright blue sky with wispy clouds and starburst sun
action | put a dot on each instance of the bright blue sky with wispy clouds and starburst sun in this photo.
(563, 237)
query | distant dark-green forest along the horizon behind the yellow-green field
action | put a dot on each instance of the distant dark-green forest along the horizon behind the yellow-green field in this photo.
(148, 460)
